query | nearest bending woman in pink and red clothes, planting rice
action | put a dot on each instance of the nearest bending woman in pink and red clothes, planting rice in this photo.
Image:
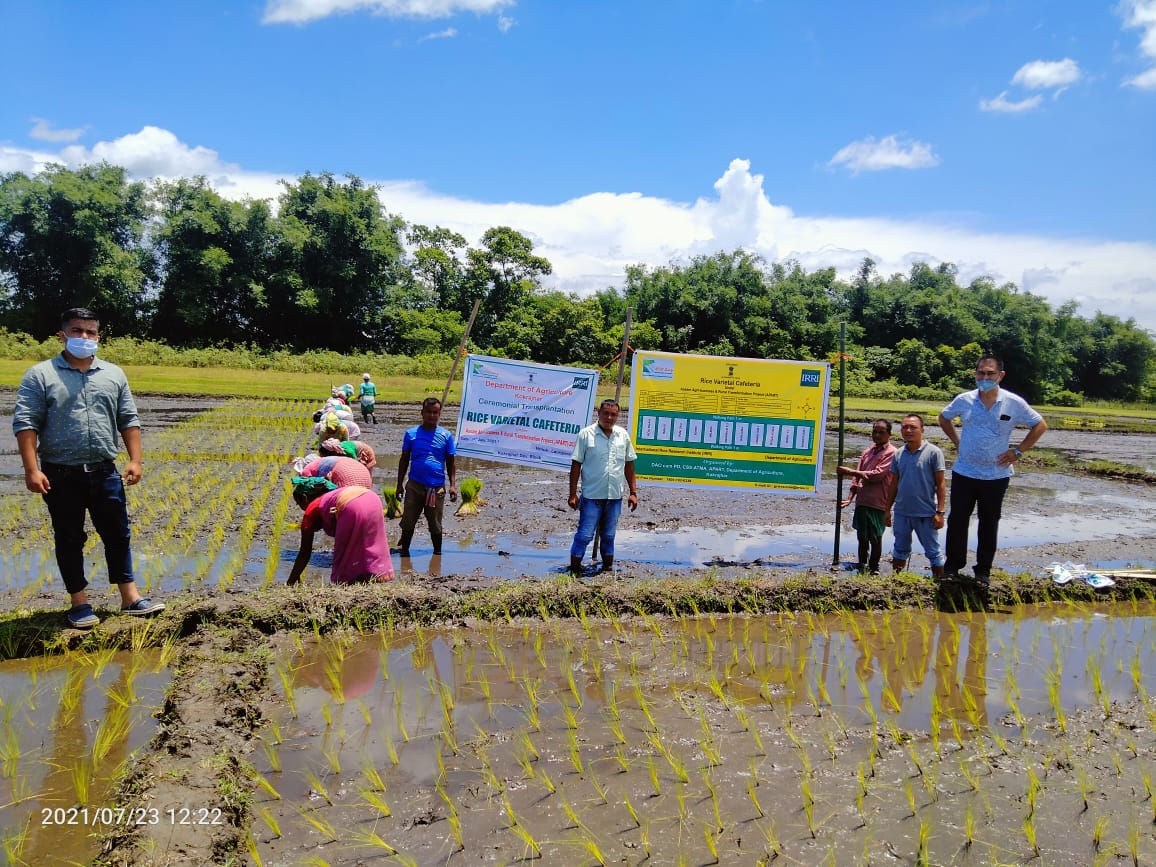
(354, 516)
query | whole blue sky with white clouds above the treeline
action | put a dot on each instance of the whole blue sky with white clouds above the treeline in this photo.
(1013, 138)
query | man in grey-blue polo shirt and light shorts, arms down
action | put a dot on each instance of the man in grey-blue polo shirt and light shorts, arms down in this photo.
(915, 506)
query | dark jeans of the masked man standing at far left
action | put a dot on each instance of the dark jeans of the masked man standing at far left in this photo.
(101, 493)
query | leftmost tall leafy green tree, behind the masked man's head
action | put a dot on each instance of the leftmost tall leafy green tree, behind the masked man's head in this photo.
(75, 239)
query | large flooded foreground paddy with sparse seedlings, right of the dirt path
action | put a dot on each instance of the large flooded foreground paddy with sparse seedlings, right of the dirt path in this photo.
(721, 739)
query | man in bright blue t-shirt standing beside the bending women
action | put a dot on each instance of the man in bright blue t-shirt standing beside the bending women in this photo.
(427, 455)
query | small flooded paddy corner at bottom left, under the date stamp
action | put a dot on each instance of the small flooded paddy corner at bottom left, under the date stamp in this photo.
(69, 727)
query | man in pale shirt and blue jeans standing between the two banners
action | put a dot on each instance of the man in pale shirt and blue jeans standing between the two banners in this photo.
(604, 458)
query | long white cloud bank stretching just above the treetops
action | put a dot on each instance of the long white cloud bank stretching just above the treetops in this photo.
(591, 240)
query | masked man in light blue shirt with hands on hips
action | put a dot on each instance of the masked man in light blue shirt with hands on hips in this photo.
(983, 470)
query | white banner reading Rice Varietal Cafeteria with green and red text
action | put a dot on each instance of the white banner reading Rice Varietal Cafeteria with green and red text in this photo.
(524, 413)
